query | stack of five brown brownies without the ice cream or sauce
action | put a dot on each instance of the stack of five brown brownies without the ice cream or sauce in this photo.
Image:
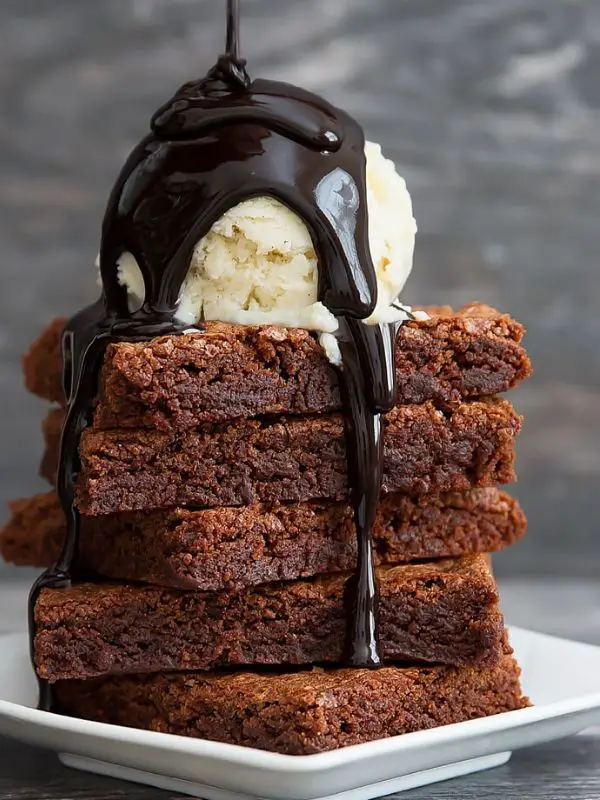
(217, 537)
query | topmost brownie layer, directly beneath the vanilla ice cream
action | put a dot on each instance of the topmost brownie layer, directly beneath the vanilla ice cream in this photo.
(235, 372)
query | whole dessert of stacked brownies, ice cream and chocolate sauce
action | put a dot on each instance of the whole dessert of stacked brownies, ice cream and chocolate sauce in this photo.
(255, 440)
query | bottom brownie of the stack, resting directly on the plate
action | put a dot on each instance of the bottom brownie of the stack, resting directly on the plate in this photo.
(299, 712)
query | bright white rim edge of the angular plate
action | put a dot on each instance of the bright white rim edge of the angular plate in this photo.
(242, 756)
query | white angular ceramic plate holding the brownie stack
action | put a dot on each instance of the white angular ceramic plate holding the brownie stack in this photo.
(561, 677)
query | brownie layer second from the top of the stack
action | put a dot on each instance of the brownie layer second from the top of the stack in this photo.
(294, 459)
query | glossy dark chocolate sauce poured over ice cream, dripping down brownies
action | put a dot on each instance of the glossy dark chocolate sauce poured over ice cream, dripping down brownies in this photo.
(220, 140)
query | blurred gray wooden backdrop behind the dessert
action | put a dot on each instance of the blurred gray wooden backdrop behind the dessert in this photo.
(491, 109)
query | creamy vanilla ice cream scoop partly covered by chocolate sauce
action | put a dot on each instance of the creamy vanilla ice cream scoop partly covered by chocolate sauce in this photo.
(257, 265)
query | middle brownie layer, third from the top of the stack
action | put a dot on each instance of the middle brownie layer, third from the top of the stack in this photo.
(225, 547)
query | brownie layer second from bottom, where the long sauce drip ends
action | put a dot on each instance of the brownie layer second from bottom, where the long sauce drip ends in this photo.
(443, 611)
